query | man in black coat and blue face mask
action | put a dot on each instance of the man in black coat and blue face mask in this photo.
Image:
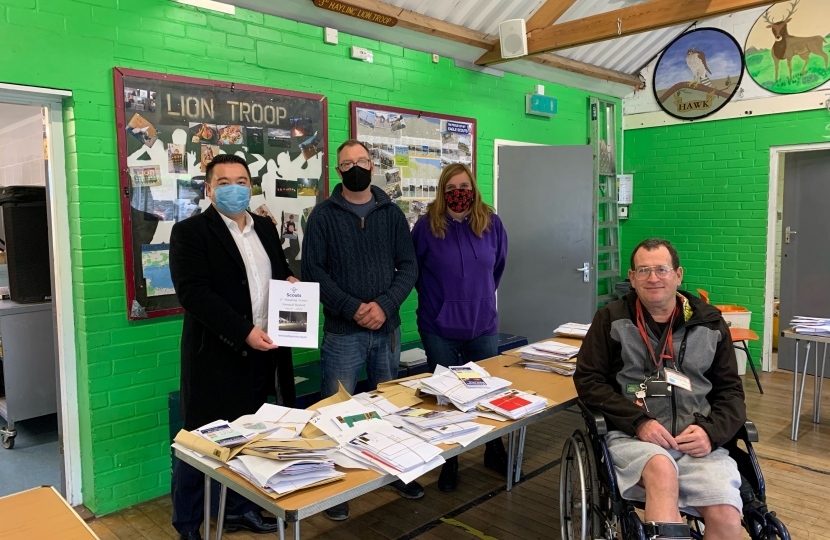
(221, 262)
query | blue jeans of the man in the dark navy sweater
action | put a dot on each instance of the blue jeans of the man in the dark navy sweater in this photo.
(342, 356)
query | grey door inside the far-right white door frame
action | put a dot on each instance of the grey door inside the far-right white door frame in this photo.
(805, 258)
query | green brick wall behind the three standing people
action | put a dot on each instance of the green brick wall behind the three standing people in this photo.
(126, 370)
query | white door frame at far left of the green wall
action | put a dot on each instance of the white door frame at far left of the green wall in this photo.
(52, 101)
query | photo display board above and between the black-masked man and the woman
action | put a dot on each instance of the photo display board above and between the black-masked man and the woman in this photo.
(409, 149)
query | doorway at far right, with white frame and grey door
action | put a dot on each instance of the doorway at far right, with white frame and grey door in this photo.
(798, 262)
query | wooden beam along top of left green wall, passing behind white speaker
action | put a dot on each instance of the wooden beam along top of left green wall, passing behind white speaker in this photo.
(459, 34)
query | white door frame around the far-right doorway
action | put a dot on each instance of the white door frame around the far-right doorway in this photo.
(775, 154)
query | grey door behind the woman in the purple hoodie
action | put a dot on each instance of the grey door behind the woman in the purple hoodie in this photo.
(546, 202)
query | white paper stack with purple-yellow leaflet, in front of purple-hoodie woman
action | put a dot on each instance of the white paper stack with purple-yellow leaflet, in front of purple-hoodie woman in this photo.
(451, 389)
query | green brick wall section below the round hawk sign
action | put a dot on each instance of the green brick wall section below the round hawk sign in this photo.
(705, 187)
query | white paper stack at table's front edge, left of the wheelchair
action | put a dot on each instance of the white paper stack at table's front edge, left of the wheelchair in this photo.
(394, 451)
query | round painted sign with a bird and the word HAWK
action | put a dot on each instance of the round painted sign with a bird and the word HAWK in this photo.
(698, 73)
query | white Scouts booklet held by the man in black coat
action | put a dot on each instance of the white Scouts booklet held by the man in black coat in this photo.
(294, 313)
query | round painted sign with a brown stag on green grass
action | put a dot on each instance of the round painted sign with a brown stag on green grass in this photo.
(786, 50)
